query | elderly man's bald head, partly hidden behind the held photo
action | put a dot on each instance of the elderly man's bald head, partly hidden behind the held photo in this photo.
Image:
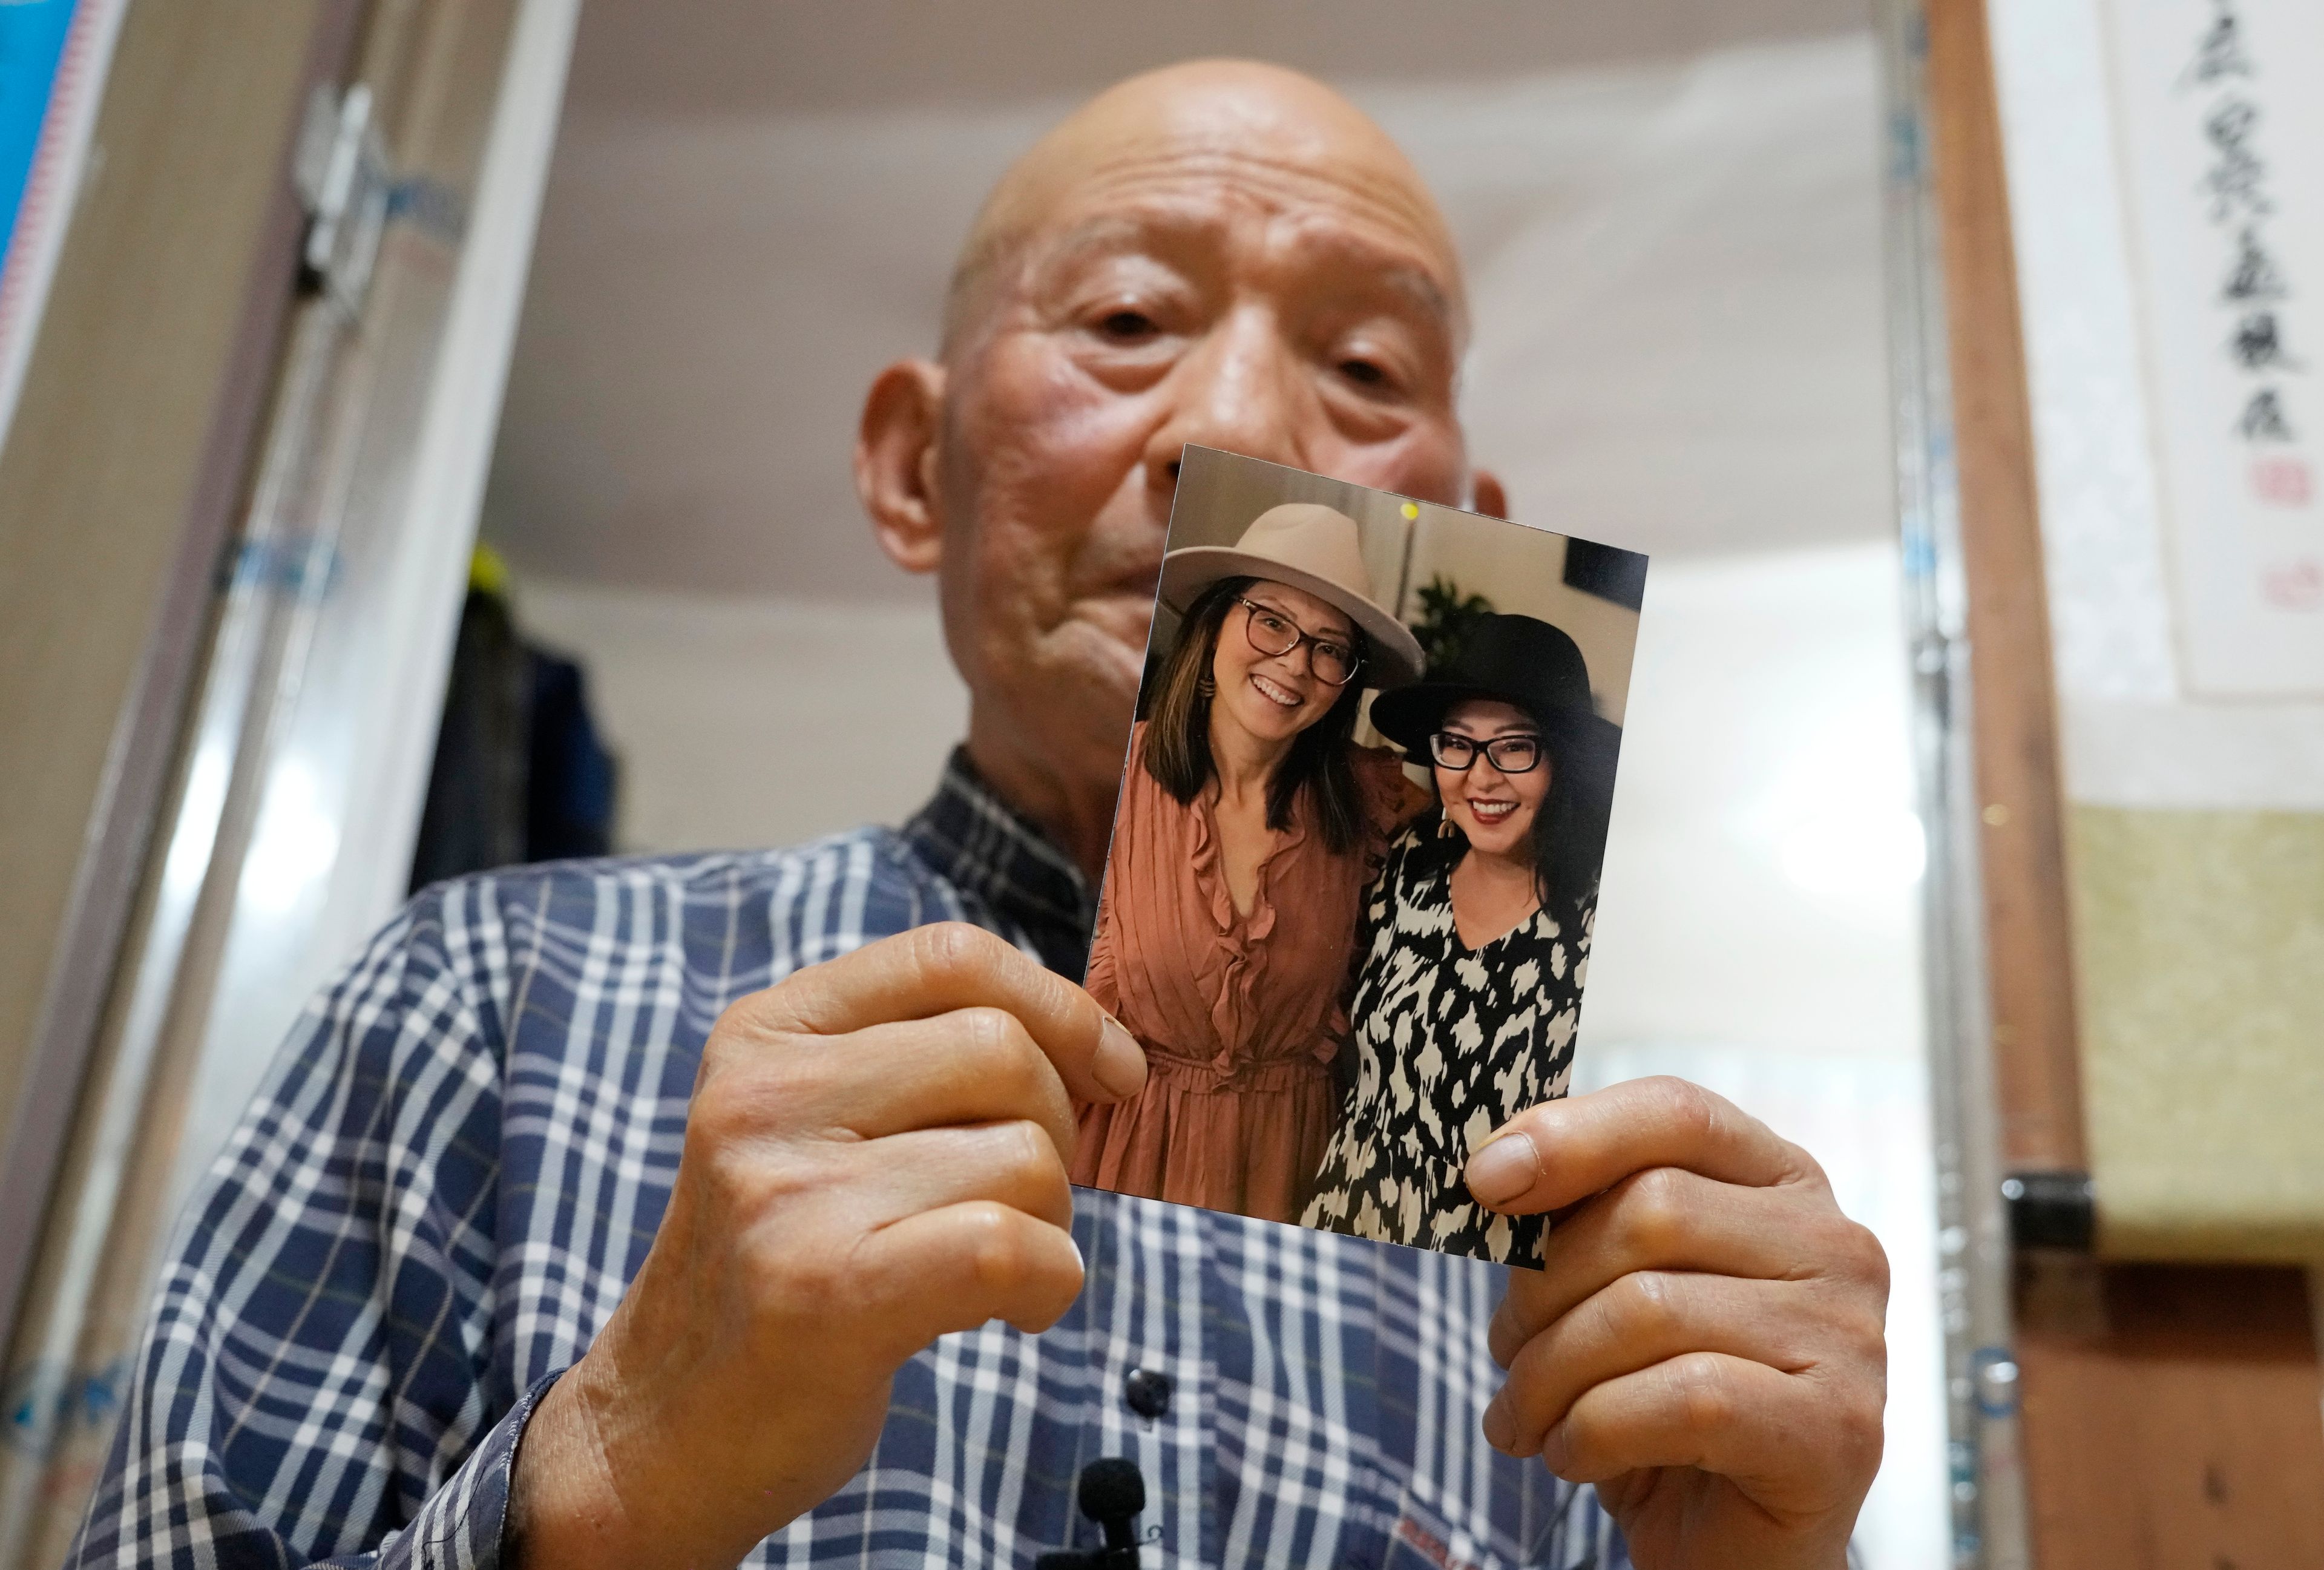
(1217, 254)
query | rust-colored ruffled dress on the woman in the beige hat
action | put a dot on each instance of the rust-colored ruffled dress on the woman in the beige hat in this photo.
(1240, 1014)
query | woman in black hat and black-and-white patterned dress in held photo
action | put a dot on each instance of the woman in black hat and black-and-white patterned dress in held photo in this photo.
(1475, 942)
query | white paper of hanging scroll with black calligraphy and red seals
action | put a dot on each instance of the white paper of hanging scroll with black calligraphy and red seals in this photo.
(2223, 147)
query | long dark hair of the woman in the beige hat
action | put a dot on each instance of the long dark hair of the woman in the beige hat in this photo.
(1179, 733)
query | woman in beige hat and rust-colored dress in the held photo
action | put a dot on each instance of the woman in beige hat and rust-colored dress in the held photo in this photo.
(1247, 835)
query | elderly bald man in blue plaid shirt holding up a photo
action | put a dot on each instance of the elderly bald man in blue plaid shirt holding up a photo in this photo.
(680, 1211)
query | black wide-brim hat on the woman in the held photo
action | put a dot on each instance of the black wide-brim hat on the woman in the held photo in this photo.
(1519, 661)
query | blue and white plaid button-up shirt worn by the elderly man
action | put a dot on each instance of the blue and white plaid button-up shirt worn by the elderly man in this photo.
(464, 1153)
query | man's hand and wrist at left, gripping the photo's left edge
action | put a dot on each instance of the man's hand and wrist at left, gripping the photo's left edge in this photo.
(875, 1155)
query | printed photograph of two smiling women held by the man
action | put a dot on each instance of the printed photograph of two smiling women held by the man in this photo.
(1356, 860)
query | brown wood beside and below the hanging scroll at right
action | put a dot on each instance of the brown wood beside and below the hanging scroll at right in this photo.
(2174, 1416)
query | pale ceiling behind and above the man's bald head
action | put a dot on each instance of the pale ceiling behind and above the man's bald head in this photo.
(1670, 210)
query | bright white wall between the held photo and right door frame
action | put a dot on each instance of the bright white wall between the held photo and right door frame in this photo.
(1758, 923)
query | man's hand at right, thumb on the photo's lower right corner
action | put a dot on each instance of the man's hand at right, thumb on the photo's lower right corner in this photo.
(1707, 1337)
